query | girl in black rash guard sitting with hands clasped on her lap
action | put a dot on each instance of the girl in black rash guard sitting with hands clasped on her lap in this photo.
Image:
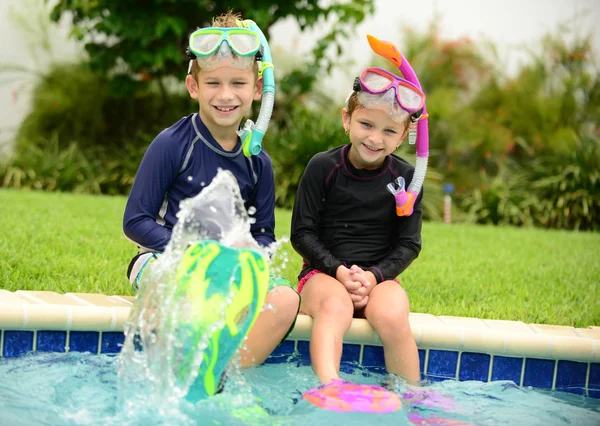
(346, 228)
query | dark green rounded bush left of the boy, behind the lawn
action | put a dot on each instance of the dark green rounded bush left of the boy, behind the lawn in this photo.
(74, 102)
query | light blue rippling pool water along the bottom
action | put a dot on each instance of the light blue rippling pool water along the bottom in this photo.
(84, 389)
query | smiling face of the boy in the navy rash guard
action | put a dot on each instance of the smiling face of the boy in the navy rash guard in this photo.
(225, 95)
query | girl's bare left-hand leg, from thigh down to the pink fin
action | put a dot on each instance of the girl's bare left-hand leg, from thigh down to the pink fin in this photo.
(327, 301)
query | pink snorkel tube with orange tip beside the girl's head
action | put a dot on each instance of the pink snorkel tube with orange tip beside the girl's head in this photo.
(405, 198)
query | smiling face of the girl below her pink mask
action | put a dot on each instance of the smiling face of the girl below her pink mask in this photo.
(373, 135)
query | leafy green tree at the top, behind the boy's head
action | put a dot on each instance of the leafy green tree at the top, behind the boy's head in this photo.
(146, 39)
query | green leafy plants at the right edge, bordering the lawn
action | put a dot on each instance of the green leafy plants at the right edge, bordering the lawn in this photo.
(548, 191)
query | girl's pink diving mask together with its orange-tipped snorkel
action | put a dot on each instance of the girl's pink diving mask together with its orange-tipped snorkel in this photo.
(376, 86)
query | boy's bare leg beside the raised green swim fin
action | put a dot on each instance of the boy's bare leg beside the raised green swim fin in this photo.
(273, 324)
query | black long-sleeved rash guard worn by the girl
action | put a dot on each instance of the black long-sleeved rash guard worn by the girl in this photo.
(345, 216)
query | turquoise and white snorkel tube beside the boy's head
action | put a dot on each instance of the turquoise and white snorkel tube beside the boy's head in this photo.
(252, 134)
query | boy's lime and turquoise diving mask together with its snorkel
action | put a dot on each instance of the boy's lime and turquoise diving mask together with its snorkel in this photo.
(244, 44)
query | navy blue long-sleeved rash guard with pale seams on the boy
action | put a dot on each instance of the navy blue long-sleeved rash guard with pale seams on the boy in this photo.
(181, 161)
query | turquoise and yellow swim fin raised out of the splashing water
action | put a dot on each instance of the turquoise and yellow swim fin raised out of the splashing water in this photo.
(226, 288)
